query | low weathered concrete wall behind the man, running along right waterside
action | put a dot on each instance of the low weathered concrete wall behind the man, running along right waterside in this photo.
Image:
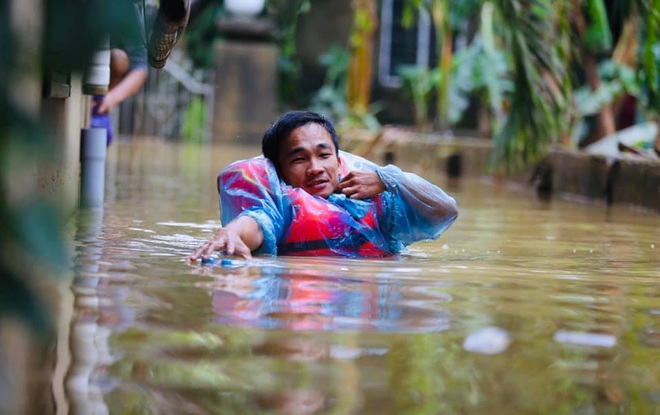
(628, 181)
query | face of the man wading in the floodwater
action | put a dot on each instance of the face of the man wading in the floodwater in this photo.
(308, 160)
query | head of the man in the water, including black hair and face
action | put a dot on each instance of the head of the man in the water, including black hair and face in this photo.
(304, 147)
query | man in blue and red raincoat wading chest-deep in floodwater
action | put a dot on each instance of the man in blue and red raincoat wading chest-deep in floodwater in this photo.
(306, 197)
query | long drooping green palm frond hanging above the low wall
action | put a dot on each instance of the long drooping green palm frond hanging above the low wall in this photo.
(538, 101)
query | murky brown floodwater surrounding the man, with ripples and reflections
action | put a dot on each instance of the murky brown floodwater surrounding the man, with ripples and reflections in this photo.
(522, 306)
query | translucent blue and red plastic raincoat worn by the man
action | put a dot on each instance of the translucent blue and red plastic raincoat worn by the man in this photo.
(297, 223)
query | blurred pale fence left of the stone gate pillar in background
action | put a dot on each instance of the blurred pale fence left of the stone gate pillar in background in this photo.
(174, 104)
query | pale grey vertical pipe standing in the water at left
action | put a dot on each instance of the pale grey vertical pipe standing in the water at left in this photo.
(93, 149)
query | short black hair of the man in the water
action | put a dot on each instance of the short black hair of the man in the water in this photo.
(284, 126)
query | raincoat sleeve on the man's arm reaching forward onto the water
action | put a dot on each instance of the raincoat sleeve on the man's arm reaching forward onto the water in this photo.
(252, 188)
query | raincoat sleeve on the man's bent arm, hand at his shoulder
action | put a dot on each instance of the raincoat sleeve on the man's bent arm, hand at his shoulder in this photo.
(418, 209)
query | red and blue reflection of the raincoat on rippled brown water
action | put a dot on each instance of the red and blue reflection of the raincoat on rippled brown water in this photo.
(296, 294)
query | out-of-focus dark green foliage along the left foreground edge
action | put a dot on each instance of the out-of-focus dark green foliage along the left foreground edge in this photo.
(32, 243)
